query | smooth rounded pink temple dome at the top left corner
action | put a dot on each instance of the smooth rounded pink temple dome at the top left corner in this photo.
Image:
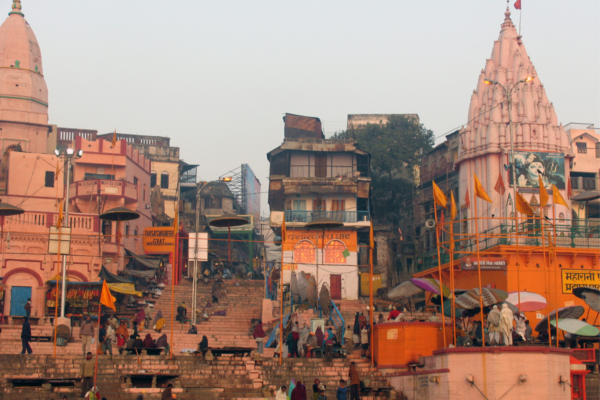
(23, 90)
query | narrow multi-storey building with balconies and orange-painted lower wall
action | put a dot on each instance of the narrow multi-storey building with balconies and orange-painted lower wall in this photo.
(313, 177)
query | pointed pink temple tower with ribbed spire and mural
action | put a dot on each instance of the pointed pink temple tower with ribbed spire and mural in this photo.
(485, 141)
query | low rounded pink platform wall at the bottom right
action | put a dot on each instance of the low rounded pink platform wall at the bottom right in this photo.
(495, 371)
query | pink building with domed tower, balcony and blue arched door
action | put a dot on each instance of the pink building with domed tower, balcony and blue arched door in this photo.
(102, 179)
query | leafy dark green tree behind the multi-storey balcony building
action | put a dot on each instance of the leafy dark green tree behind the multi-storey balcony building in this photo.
(395, 149)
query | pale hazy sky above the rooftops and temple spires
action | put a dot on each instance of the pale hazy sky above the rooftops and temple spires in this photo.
(217, 76)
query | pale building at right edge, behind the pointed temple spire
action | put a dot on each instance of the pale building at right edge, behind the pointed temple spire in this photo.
(585, 172)
